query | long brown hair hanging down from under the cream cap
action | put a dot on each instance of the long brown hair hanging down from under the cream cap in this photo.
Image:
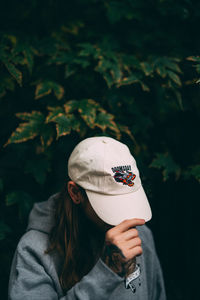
(72, 236)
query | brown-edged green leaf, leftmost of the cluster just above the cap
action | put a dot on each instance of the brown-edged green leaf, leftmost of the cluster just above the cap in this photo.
(28, 130)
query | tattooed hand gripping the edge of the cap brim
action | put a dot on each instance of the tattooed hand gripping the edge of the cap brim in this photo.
(122, 245)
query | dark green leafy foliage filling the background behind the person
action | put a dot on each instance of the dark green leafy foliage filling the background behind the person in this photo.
(126, 69)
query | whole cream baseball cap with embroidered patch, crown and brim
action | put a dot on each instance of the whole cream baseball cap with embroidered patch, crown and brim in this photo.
(107, 171)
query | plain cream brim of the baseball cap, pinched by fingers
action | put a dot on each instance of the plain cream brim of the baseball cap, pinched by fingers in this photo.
(113, 209)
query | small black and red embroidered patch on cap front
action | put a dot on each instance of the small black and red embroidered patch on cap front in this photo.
(123, 174)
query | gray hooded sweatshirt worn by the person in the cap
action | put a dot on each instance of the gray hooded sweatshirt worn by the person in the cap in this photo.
(34, 275)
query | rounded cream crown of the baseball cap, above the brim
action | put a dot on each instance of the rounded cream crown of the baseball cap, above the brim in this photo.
(104, 165)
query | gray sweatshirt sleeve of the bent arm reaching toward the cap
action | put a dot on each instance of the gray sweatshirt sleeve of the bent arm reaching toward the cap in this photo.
(30, 278)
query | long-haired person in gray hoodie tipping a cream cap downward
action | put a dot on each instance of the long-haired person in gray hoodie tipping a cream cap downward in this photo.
(90, 241)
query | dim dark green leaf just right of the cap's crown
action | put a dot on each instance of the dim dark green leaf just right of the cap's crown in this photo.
(165, 162)
